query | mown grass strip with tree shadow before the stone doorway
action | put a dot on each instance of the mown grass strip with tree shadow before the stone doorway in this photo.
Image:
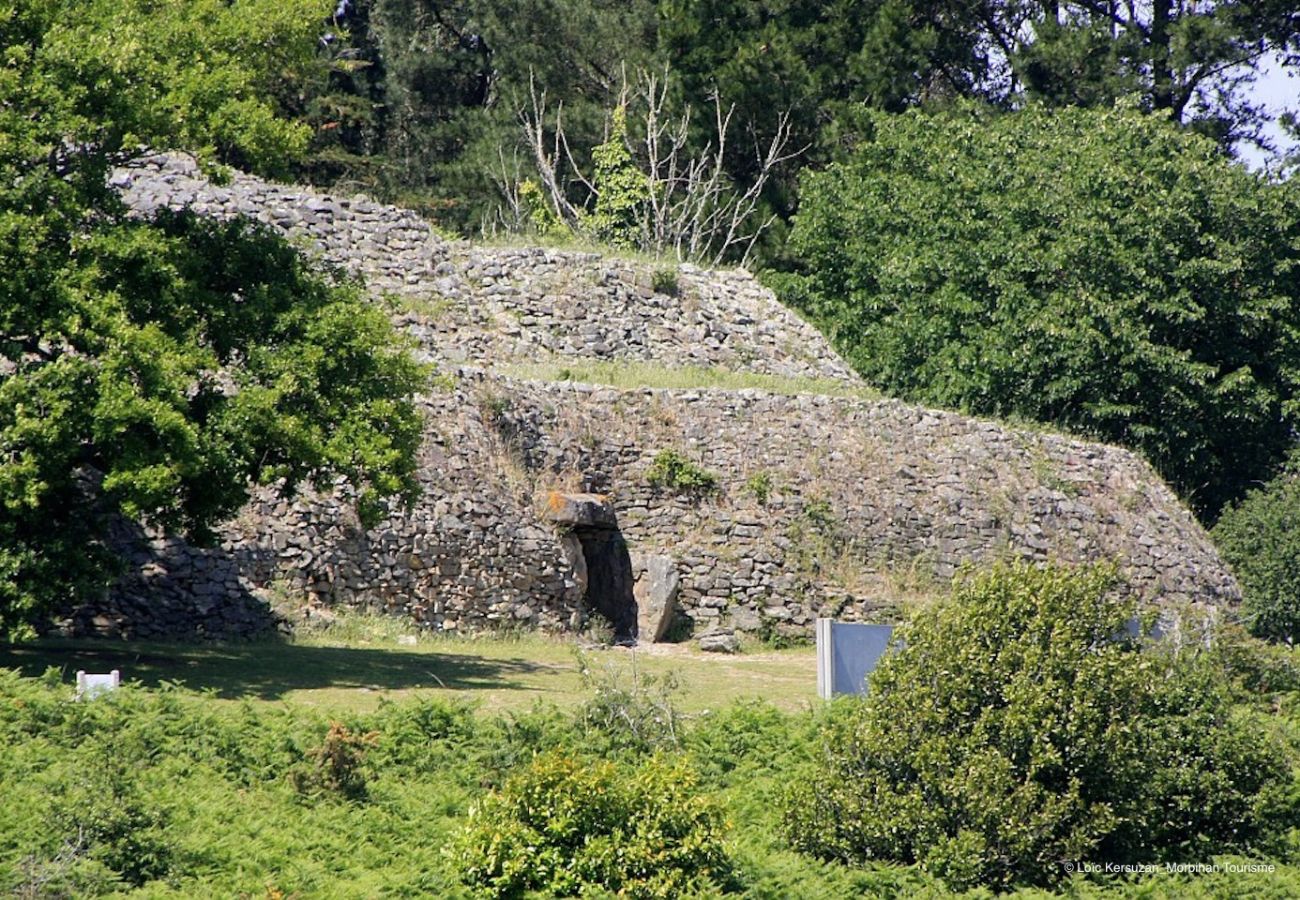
(350, 672)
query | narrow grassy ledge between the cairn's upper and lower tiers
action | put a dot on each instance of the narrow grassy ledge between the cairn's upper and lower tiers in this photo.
(632, 375)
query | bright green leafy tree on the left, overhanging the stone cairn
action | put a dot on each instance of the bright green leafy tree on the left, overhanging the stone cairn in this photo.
(155, 369)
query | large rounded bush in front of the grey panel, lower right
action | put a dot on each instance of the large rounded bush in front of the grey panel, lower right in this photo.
(1021, 728)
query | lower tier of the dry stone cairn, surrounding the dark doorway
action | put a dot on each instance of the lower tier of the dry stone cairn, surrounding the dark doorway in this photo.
(824, 508)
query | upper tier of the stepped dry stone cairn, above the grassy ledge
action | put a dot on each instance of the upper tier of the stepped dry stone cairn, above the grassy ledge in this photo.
(497, 305)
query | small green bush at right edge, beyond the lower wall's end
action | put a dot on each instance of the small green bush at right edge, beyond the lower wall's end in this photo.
(1260, 539)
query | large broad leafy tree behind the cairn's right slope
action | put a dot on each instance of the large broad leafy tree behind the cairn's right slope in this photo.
(1097, 270)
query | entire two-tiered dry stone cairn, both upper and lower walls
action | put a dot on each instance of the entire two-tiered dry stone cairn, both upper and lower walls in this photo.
(824, 505)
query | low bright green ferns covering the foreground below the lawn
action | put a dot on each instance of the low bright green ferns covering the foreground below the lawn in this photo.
(167, 793)
